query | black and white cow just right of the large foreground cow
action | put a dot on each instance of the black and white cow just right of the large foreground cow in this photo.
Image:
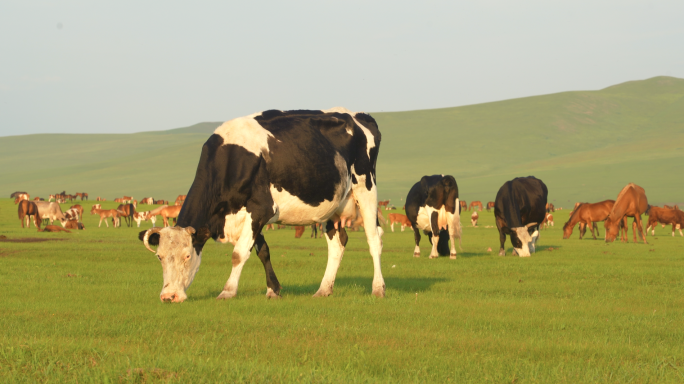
(432, 206)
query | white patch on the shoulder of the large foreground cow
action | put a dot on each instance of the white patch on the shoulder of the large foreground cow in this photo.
(245, 132)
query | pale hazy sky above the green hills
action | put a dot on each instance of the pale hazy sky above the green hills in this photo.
(131, 66)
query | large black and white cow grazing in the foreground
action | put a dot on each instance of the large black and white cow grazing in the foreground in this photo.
(293, 167)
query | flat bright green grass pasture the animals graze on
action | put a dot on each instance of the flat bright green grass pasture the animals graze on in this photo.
(84, 307)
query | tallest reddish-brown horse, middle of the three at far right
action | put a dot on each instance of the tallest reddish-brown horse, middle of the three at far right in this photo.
(631, 202)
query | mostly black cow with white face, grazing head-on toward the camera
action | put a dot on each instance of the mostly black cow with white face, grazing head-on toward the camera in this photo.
(519, 208)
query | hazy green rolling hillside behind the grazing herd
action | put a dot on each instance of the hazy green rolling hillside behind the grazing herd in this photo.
(585, 145)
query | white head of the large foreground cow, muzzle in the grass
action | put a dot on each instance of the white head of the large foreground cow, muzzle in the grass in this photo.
(180, 253)
